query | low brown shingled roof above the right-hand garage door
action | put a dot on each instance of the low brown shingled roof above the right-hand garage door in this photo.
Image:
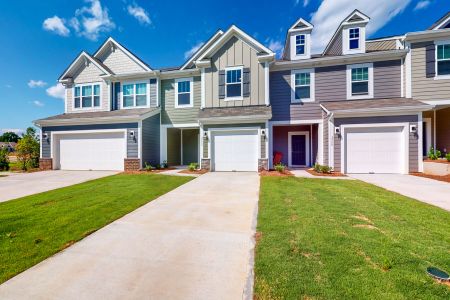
(386, 104)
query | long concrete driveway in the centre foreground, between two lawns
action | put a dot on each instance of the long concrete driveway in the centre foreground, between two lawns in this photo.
(195, 242)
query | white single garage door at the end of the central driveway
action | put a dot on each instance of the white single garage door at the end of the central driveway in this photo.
(235, 151)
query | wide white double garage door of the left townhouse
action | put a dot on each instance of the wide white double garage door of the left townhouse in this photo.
(91, 151)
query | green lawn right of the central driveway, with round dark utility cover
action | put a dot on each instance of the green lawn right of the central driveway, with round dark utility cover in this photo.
(335, 239)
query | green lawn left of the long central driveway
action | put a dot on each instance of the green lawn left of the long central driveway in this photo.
(35, 227)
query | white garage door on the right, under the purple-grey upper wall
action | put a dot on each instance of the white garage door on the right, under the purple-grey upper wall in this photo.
(374, 150)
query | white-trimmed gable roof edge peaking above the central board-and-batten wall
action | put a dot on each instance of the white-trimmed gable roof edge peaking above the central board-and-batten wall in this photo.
(235, 31)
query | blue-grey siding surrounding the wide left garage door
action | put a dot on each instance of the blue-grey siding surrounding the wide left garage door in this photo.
(132, 144)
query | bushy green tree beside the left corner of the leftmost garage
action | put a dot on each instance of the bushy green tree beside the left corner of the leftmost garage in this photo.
(28, 150)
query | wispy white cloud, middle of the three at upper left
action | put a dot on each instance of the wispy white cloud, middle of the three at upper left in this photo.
(91, 21)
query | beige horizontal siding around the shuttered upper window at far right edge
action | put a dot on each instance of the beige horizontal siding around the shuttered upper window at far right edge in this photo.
(424, 88)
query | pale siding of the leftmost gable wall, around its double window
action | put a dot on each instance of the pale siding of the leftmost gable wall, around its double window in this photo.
(88, 74)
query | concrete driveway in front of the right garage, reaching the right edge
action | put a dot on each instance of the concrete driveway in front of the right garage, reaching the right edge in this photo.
(423, 189)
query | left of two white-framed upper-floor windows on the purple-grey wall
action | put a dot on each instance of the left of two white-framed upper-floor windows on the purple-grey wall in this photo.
(302, 82)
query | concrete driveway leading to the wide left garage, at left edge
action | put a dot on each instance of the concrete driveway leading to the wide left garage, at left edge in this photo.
(17, 185)
